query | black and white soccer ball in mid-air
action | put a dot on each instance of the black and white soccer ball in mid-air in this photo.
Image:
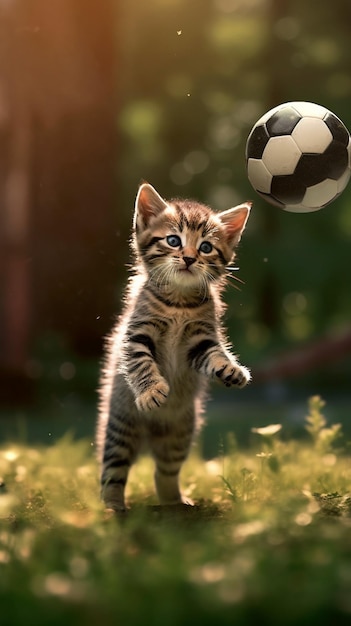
(298, 156)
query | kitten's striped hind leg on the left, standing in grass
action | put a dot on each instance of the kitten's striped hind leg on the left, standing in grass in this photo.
(120, 450)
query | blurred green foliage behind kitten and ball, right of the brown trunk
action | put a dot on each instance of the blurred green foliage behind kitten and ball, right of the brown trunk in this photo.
(195, 83)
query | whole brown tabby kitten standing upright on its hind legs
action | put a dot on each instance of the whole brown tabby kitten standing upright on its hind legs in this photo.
(168, 341)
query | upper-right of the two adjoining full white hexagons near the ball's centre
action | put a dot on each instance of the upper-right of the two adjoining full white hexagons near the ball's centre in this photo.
(312, 135)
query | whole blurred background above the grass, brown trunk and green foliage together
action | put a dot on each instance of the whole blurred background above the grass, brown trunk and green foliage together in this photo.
(111, 93)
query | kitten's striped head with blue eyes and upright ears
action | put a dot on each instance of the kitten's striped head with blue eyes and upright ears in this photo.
(182, 243)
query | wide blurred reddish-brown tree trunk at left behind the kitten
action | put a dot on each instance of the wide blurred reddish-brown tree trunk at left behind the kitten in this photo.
(57, 112)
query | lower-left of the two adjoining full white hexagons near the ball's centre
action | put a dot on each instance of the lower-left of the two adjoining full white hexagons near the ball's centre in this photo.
(281, 155)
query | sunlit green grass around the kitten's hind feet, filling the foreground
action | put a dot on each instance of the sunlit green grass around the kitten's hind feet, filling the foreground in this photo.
(268, 541)
